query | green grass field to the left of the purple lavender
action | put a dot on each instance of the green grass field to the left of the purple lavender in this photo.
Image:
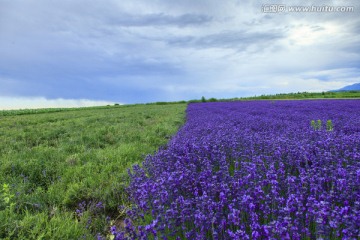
(52, 161)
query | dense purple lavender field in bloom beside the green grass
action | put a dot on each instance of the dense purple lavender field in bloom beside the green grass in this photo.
(253, 170)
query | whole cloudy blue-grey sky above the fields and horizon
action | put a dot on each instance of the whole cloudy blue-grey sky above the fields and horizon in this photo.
(98, 52)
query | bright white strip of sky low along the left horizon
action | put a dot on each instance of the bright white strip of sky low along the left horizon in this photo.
(9, 103)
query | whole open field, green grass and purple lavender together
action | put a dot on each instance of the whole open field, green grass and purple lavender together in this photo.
(235, 170)
